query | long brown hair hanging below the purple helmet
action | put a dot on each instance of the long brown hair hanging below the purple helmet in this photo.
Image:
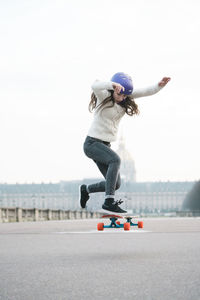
(131, 108)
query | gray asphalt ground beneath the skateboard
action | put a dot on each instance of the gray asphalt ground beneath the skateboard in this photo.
(72, 260)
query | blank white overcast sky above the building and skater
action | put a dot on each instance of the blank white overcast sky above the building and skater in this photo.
(51, 52)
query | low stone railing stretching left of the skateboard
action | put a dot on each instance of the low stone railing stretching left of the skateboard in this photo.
(16, 214)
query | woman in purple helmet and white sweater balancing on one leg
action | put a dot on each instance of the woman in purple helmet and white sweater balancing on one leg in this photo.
(110, 101)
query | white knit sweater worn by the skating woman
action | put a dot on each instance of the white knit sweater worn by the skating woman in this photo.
(106, 121)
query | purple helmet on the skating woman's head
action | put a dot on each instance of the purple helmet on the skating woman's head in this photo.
(125, 80)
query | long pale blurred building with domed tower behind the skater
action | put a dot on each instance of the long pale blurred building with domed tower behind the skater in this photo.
(139, 197)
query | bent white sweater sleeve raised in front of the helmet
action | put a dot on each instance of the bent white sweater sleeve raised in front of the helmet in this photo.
(100, 89)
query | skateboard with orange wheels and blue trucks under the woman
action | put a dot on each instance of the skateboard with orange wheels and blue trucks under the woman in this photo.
(117, 224)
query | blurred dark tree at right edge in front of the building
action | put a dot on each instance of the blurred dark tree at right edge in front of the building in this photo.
(192, 199)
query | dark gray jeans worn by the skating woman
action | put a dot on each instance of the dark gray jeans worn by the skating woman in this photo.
(108, 163)
